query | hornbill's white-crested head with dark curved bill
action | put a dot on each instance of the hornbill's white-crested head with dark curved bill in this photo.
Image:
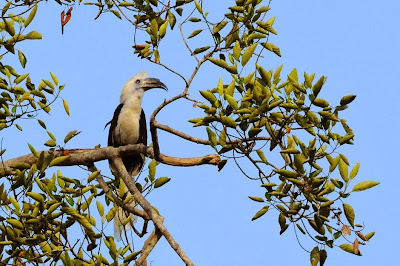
(138, 84)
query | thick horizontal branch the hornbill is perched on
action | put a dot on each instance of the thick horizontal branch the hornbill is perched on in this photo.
(89, 156)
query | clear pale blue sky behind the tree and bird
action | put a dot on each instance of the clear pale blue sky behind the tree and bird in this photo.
(354, 43)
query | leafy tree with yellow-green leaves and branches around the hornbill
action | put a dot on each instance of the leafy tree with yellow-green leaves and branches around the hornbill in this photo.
(279, 126)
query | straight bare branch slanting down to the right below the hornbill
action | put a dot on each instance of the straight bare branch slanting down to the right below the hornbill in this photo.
(157, 219)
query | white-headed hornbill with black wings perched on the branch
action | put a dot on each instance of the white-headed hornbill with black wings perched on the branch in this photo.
(128, 126)
